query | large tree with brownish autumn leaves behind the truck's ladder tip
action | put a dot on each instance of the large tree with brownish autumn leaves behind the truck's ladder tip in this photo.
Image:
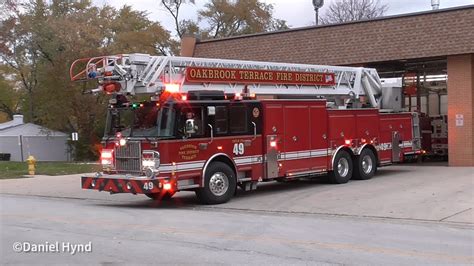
(39, 44)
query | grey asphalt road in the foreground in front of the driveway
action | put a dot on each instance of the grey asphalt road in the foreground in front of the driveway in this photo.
(141, 232)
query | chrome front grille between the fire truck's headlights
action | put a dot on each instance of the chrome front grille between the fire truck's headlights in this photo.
(128, 158)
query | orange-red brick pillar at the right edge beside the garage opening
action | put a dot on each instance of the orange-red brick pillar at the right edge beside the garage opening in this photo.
(460, 102)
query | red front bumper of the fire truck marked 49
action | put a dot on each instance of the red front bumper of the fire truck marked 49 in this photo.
(132, 185)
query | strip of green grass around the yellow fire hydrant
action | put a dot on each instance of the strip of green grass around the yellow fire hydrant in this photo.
(20, 169)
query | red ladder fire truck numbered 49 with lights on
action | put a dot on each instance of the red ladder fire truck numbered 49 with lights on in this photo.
(212, 125)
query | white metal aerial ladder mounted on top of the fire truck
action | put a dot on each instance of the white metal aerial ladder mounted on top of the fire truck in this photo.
(131, 74)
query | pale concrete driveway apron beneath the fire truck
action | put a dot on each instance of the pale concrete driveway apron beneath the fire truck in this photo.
(434, 193)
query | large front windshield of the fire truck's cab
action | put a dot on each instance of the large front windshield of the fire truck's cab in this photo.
(140, 122)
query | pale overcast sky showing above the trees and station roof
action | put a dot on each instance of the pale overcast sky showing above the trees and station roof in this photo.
(297, 13)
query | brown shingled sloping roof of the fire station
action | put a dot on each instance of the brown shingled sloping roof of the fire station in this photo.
(412, 36)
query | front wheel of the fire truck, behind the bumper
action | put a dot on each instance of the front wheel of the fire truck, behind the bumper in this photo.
(223, 185)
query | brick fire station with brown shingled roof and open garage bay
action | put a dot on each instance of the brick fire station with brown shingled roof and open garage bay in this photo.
(433, 51)
